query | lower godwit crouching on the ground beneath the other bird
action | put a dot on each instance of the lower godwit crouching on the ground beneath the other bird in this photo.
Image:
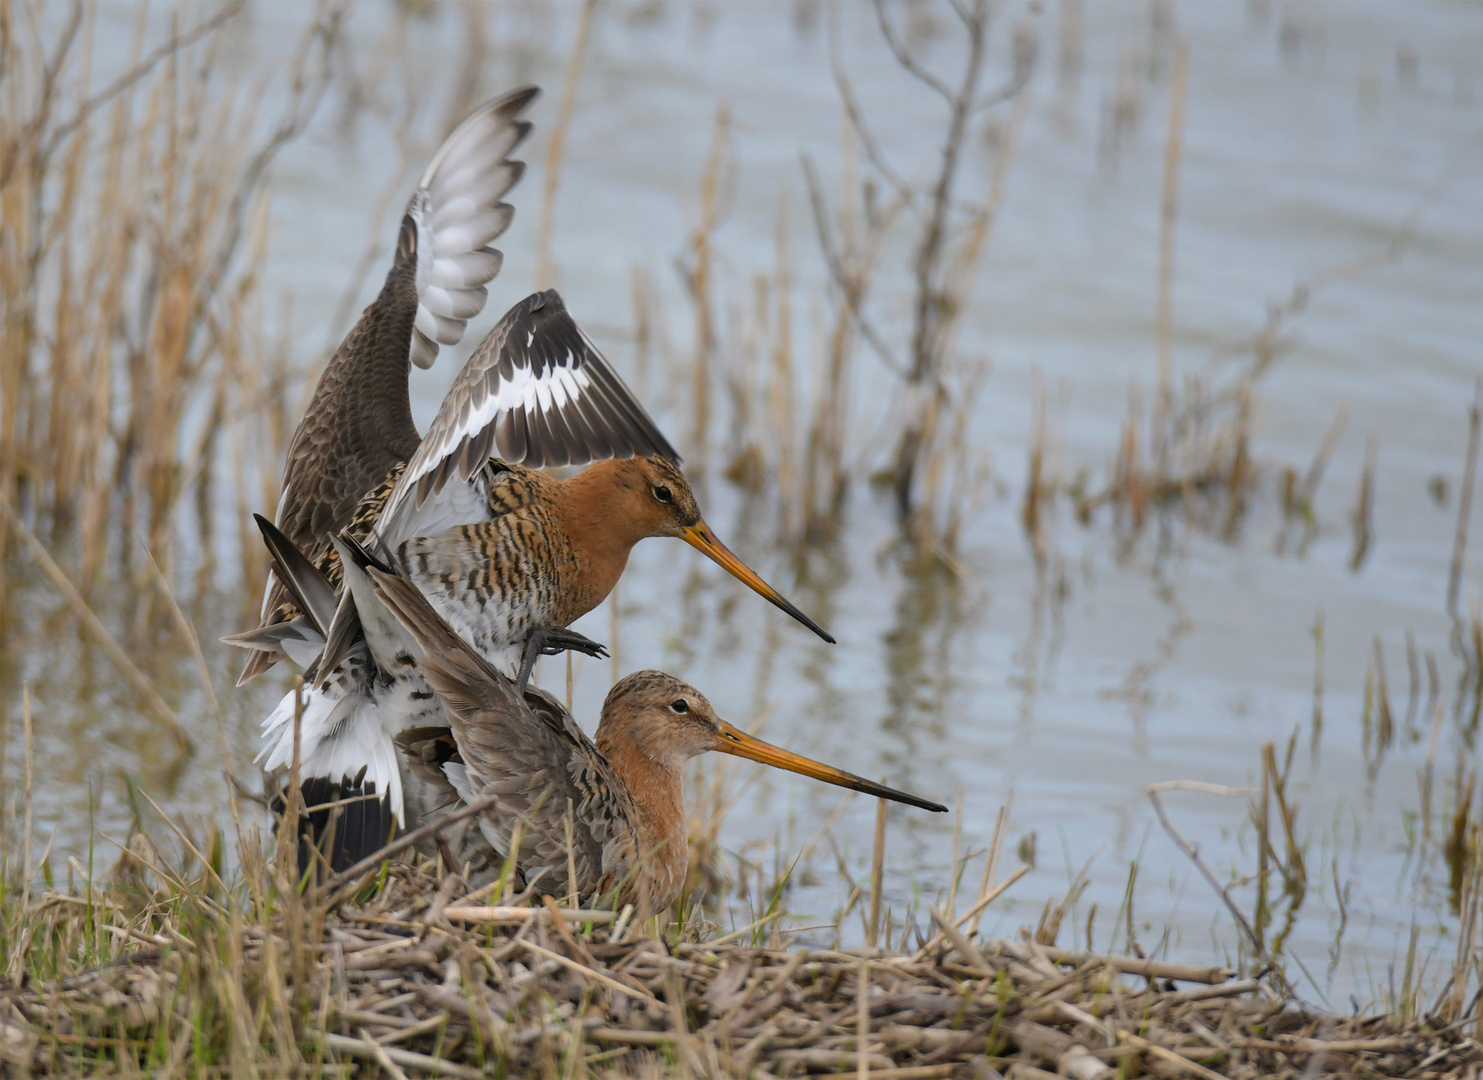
(610, 814)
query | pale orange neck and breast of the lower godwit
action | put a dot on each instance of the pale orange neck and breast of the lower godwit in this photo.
(658, 793)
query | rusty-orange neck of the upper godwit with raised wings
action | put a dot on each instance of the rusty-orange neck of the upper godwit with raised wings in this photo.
(594, 510)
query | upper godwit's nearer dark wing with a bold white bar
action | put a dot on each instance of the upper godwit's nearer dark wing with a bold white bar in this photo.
(536, 392)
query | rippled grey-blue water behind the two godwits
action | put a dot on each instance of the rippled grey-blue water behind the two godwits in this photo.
(1315, 134)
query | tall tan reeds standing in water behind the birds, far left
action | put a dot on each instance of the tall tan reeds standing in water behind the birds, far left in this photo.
(139, 385)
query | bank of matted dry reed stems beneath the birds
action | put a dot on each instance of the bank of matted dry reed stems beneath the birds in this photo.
(419, 983)
